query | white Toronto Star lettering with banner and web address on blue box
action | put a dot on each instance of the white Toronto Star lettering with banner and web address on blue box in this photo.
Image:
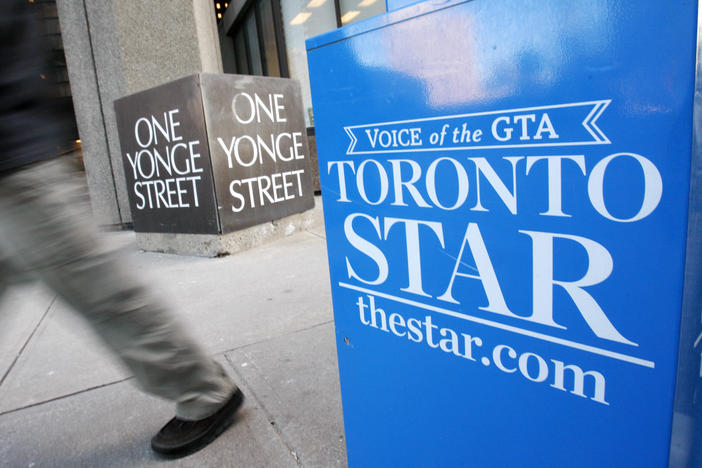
(458, 193)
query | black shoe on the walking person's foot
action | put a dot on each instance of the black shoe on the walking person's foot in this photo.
(180, 438)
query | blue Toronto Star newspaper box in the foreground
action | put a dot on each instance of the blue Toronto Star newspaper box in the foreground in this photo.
(511, 196)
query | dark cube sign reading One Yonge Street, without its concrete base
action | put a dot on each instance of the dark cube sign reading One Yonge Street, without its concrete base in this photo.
(213, 154)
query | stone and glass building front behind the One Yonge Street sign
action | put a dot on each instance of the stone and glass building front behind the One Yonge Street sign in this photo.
(114, 48)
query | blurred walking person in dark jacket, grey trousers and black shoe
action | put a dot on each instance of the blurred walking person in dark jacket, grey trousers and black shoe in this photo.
(42, 234)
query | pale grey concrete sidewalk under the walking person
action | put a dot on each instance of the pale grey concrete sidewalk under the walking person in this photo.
(265, 314)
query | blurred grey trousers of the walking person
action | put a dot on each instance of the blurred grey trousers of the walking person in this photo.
(43, 233)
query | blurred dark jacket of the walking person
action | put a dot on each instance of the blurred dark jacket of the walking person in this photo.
(30, 125)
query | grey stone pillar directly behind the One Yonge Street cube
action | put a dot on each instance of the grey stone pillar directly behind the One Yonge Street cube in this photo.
(116, 48)
